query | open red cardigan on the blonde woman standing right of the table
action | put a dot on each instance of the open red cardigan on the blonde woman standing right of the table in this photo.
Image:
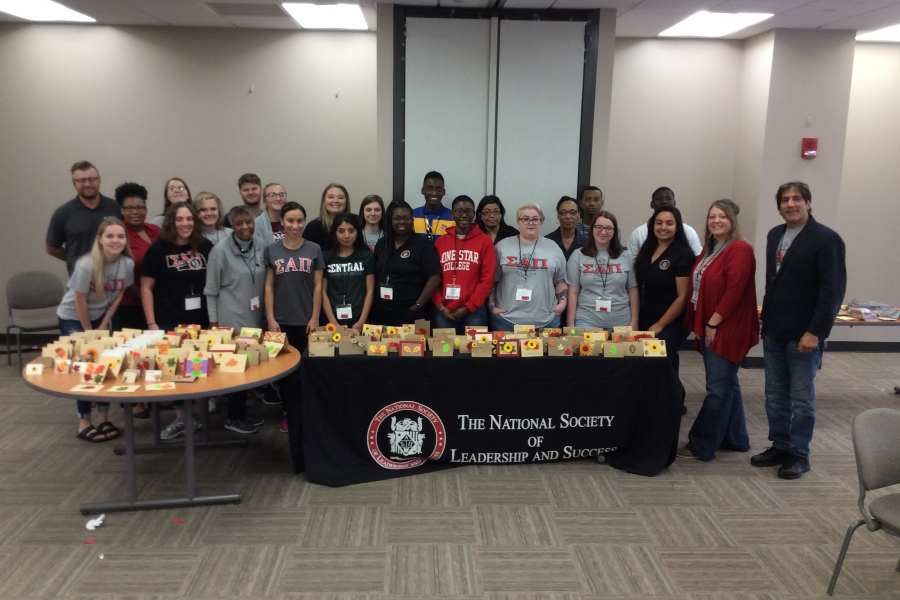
(728, 288)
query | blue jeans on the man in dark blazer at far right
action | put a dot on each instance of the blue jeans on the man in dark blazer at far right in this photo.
(790, 395)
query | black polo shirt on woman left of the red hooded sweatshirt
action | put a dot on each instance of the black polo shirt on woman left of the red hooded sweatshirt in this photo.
(405, 269)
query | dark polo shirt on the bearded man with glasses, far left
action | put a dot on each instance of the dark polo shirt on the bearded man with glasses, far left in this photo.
(74, 226)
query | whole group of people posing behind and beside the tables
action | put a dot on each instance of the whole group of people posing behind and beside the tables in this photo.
(266, 264)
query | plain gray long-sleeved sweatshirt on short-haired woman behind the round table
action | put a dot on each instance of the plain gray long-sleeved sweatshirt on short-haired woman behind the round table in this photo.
(234, 281)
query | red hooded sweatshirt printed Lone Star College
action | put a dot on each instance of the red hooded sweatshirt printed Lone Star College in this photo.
(469, 263)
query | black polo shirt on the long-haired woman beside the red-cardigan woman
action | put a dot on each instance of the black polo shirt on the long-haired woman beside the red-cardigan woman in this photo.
(656, 280)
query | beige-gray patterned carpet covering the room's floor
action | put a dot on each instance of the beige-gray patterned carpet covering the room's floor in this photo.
(563, 531)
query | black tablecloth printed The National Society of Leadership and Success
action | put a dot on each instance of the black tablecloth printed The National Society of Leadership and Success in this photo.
(365, 418)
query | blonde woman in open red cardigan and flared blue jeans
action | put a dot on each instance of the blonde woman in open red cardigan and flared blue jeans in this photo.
(722, 314)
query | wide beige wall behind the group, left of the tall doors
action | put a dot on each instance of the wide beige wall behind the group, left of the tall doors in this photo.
(147, 103)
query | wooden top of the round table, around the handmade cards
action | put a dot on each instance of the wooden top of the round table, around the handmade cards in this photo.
(216, 384)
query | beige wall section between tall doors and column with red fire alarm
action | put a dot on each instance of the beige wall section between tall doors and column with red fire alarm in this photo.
(674, 115)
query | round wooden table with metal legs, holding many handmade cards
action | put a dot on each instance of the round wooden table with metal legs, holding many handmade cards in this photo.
(216, 384)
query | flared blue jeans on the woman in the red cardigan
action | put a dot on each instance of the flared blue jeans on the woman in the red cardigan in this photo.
(721, 422)
